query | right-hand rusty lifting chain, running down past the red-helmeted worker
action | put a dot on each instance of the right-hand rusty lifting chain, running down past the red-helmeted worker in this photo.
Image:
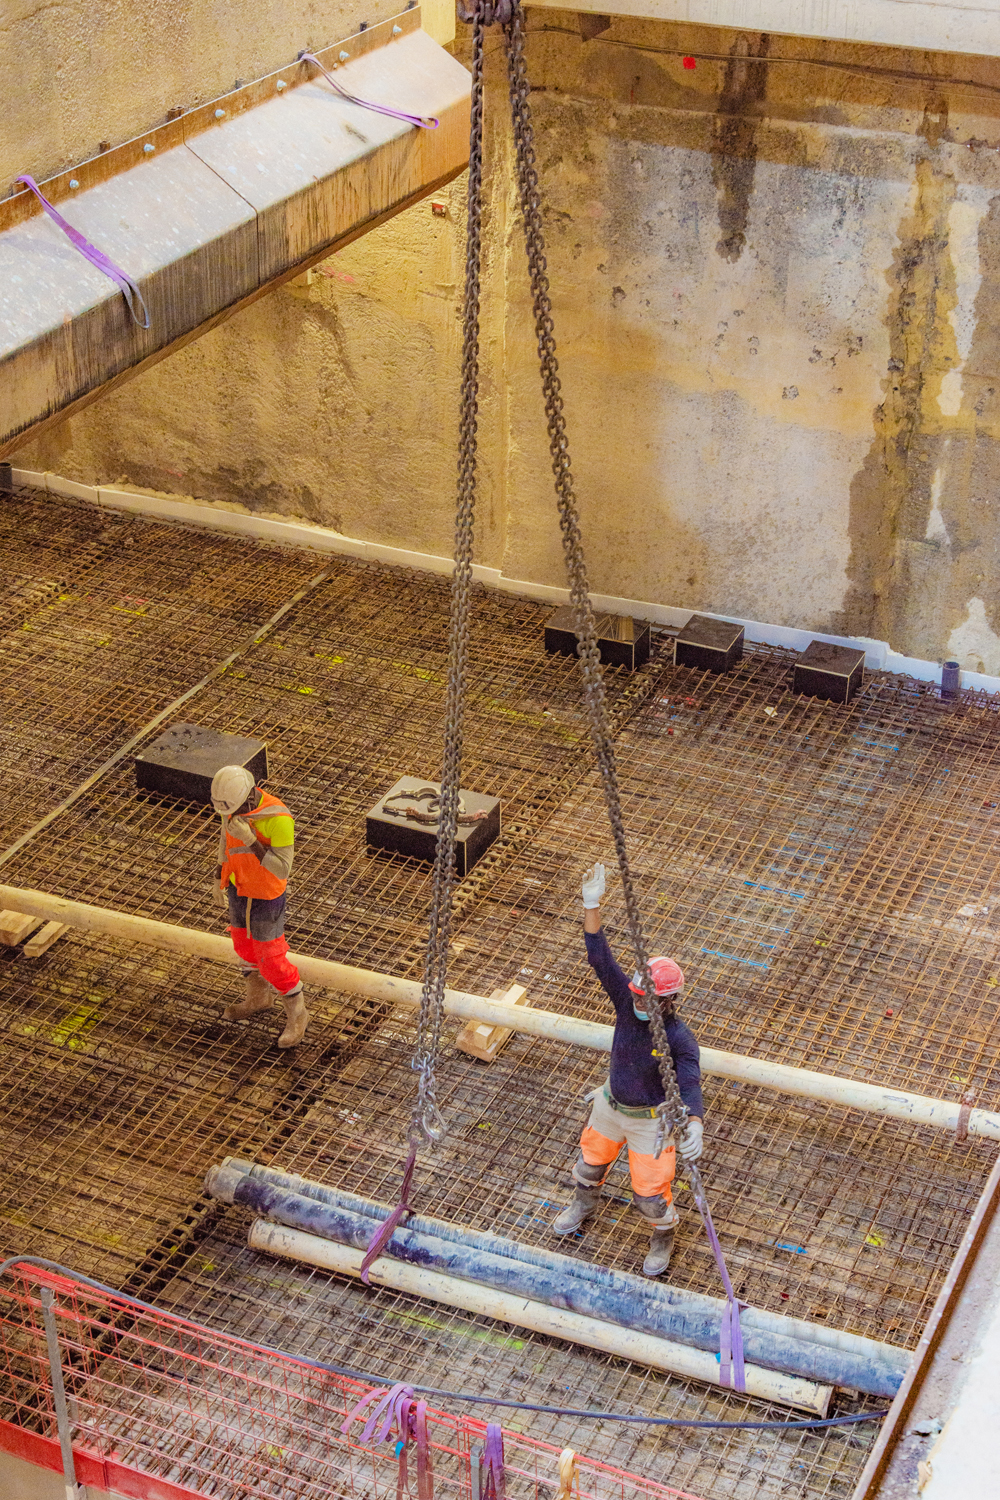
(674, 1112)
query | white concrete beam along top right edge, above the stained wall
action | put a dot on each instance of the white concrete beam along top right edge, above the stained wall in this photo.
(939, 26)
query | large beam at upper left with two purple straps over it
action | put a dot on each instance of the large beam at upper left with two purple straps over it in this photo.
(212, 211)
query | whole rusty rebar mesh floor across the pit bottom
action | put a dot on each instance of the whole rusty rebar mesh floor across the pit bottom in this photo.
(824, 874)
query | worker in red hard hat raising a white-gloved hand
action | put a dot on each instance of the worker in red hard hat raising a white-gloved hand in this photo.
(624, 1109)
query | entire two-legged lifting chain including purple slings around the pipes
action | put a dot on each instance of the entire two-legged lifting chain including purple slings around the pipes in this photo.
(427, 1121)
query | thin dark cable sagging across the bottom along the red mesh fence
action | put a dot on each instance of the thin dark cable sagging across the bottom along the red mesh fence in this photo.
(433, 1391)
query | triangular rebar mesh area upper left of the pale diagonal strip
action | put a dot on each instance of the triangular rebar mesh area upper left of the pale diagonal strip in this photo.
(142, 616)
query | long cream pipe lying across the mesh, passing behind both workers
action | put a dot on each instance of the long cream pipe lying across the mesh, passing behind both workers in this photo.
(846, 1093)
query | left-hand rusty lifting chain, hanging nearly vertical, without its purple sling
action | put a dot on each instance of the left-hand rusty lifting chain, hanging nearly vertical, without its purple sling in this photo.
(427, 1121)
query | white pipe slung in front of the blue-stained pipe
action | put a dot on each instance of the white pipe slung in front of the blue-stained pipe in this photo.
(644, 1349)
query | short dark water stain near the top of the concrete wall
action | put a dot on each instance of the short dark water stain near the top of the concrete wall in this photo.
(735, 140)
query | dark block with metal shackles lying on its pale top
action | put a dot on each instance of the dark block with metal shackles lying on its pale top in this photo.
(404, 823)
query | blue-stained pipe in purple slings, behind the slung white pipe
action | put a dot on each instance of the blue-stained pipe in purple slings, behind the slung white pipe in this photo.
(609, 1297)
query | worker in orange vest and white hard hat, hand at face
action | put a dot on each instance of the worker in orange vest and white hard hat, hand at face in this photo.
(256, 860)
